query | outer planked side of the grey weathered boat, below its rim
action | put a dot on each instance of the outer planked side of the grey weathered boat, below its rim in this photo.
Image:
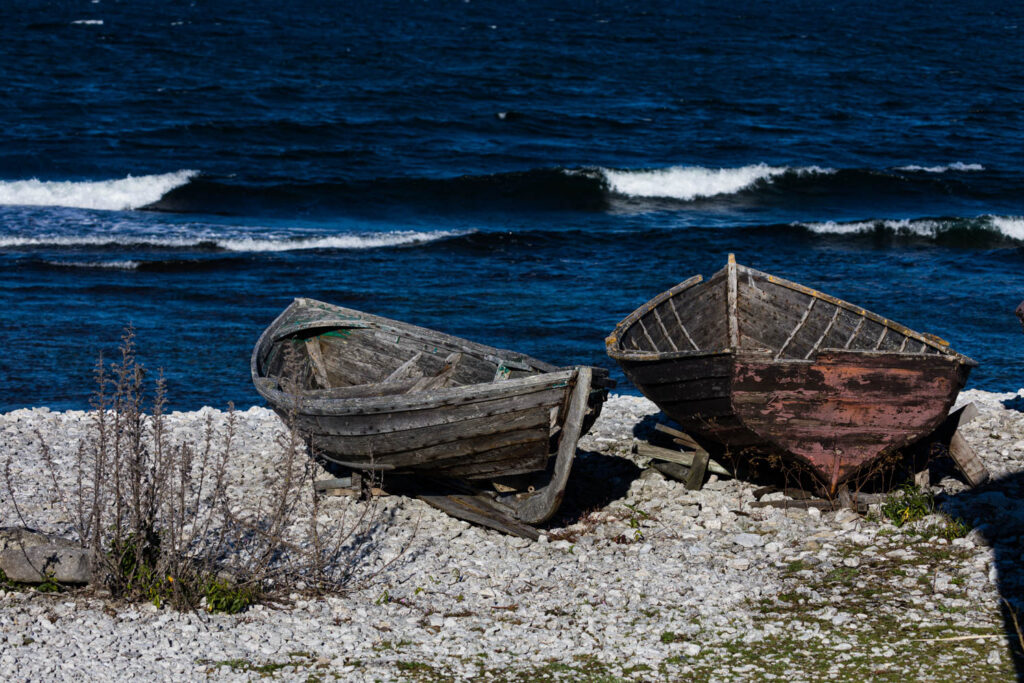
(478, 433)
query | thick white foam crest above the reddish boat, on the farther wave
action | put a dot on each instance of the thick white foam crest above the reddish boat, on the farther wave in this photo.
(691, 183)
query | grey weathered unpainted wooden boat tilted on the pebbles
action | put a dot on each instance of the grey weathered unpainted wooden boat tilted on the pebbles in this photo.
(377, 395)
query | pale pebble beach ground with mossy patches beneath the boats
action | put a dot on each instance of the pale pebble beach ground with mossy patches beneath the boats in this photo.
(637, 579)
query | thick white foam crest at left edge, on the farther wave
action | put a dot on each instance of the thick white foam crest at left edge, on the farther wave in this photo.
(120, 195)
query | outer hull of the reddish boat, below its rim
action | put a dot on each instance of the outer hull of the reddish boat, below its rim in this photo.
(835, 415)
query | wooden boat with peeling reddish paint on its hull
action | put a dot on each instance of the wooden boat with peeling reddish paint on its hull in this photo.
(749, 363)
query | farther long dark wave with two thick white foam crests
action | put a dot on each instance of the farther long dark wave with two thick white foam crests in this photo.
(557, 189)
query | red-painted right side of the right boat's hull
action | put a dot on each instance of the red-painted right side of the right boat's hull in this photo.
(844, 410)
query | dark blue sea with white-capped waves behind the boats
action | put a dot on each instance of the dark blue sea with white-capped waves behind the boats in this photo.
(525, 176)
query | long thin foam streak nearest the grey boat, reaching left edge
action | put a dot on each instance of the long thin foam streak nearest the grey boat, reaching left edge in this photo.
(353, 241)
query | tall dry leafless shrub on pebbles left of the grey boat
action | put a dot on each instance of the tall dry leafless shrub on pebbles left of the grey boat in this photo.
(163, 523)
